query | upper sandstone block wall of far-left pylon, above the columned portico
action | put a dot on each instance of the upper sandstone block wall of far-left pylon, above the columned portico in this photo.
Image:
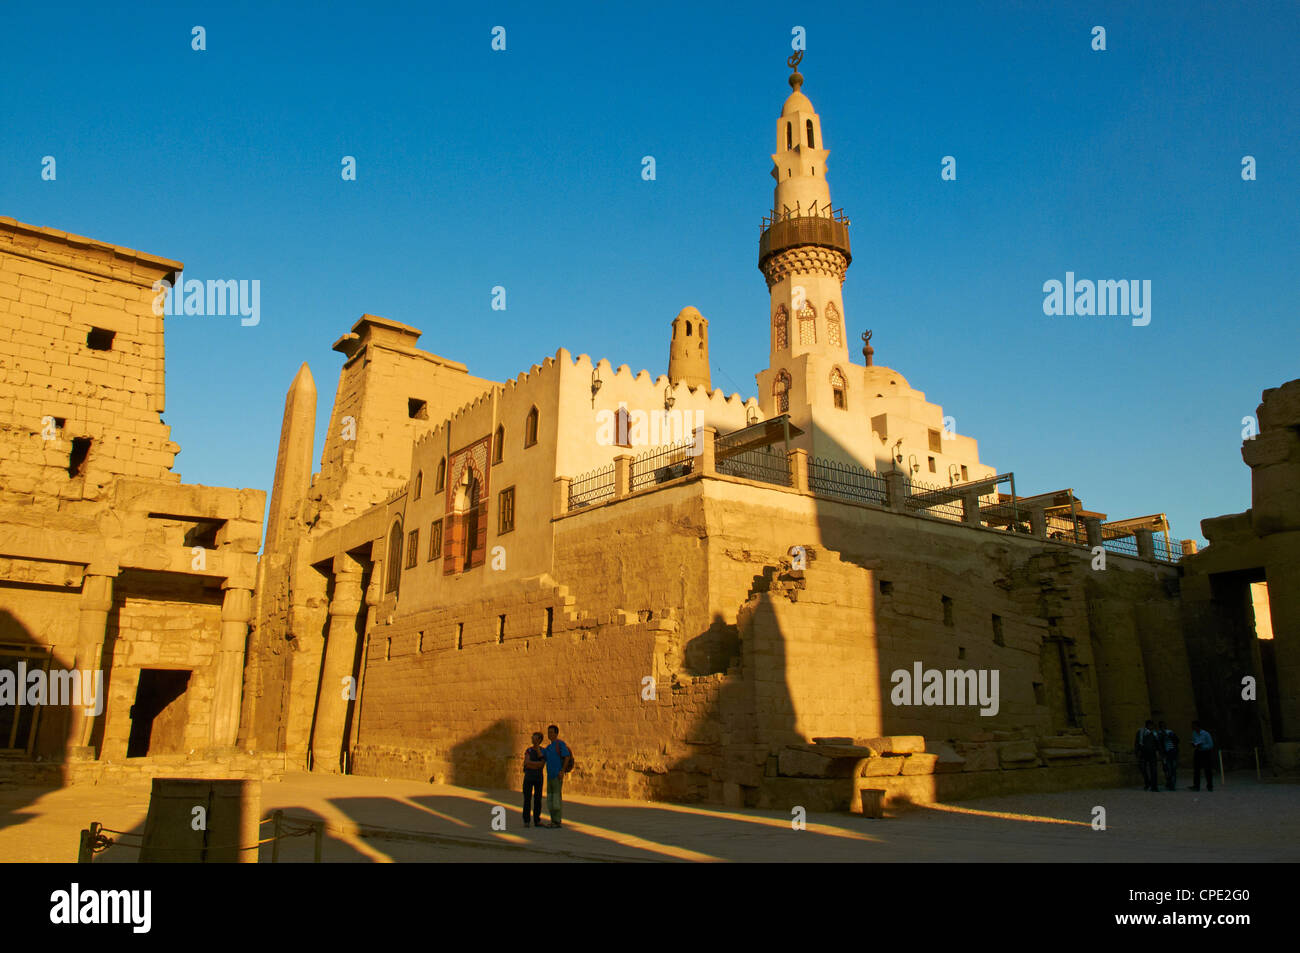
(54, 291)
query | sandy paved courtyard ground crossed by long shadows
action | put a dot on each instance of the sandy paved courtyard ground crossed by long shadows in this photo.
(372, 820)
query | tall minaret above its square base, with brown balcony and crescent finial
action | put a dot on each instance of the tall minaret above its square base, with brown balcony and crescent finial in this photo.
(804, 250)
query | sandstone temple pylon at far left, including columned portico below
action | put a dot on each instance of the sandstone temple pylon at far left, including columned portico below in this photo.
(118, 582)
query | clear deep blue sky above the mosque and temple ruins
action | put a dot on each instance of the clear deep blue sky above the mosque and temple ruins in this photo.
(478, 168)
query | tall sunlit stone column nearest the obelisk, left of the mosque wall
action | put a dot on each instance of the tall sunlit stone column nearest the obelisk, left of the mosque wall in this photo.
(340, 653)
